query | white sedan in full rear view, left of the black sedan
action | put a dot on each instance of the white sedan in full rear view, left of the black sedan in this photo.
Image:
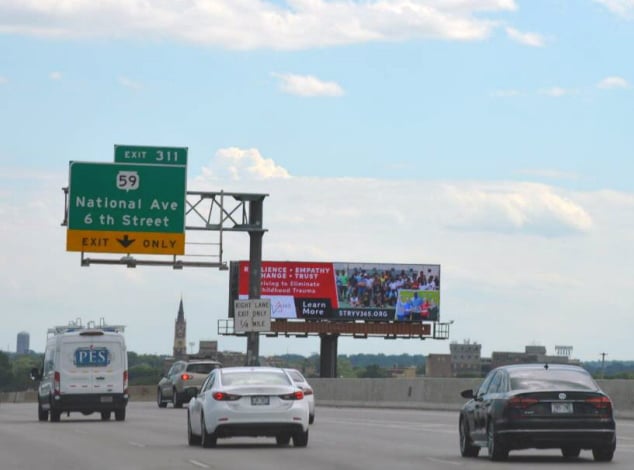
(248, 401)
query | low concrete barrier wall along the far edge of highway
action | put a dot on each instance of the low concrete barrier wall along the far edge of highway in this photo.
(420, 393)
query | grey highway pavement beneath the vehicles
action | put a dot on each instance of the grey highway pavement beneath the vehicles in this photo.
(341, 439)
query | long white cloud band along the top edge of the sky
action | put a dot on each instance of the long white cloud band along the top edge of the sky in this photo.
(252, 24)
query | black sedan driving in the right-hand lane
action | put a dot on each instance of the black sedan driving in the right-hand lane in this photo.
(537, 406)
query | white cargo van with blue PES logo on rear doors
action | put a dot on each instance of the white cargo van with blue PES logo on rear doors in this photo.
(85, 370)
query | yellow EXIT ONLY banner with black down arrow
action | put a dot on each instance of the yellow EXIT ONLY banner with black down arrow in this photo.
(125, 242)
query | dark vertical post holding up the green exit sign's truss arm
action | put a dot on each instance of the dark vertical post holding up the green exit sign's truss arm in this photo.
(255, 274)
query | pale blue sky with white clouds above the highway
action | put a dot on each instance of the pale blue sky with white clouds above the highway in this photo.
(491, 137)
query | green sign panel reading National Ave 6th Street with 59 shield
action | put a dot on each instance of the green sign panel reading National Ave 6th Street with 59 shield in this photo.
(130, 198)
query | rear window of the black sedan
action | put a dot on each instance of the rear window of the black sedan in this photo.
(549, 379)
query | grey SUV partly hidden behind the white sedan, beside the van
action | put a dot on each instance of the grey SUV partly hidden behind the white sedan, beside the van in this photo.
(183, 381)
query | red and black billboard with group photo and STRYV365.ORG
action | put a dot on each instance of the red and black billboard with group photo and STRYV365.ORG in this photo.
(341, 291)
